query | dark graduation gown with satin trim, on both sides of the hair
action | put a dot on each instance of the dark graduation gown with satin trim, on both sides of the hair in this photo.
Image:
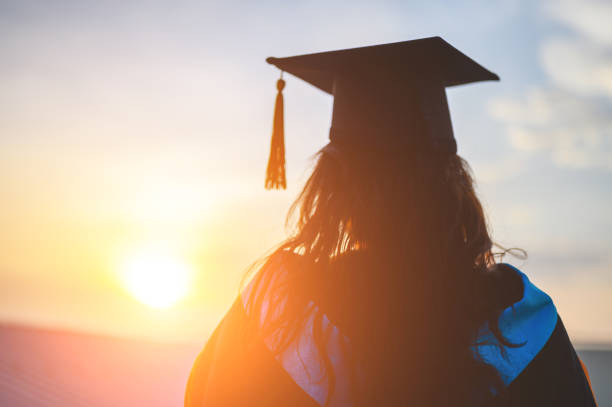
(231, 371)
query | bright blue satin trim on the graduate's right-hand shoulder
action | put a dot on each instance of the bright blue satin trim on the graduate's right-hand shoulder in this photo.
(530, 322)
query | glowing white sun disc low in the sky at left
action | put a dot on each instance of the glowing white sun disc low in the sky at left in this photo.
(156, 278)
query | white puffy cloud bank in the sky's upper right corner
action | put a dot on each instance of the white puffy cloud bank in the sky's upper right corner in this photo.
(570, 117)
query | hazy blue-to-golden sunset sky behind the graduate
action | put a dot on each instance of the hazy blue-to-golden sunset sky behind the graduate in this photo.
(131, 127)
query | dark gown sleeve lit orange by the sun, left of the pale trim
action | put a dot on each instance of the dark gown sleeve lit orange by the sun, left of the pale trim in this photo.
(237, 356)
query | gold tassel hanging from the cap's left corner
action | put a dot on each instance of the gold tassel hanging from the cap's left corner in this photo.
(275, 174)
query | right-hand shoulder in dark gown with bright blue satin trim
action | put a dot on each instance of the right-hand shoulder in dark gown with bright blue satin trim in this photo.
(542, 367)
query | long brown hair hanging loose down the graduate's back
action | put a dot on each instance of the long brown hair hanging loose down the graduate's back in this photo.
(424, 253)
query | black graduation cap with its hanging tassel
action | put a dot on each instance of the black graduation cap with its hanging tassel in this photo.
(388, 97)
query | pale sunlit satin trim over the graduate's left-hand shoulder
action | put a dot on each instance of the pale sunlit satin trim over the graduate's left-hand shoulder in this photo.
(280, 285)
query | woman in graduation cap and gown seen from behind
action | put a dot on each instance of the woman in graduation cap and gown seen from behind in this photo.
(388, 292)
